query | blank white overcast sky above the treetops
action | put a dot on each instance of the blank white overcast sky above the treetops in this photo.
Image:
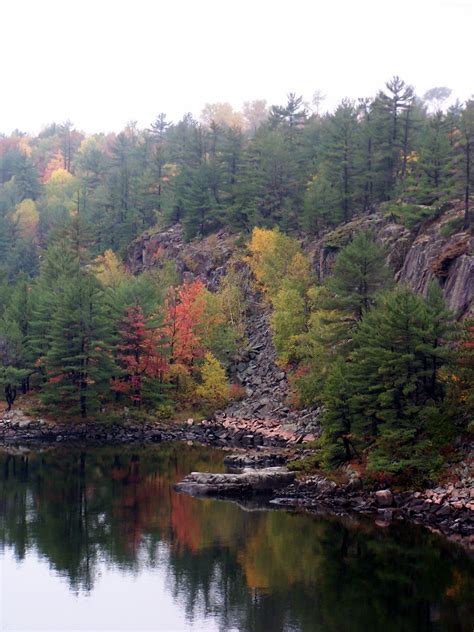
(102, 63)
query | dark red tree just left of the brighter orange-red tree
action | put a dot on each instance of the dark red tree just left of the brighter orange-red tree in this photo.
(141, 355)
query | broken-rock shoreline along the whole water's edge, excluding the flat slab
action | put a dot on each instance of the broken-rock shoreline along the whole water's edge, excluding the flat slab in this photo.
(447, 508)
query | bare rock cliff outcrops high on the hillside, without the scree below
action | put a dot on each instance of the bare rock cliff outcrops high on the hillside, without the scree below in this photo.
(417, 257)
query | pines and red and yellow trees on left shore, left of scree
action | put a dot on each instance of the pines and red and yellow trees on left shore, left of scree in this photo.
(88, 335)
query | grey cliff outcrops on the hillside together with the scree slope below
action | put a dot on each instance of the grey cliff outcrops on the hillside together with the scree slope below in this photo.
(416, 257)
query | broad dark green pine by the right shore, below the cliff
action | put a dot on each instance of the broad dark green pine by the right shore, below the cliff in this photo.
(394, 375)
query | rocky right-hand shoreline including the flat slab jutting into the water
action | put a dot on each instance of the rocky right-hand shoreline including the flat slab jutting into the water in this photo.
(447, 509)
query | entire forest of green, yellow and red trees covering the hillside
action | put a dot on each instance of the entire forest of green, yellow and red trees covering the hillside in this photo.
(391, 369)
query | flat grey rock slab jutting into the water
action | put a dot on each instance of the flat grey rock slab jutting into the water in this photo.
(249, 482)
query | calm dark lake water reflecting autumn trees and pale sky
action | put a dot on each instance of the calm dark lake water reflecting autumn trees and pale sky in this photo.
(97, 540)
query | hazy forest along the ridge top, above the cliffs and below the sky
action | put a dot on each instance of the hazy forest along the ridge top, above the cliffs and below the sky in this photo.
(282, 165)
